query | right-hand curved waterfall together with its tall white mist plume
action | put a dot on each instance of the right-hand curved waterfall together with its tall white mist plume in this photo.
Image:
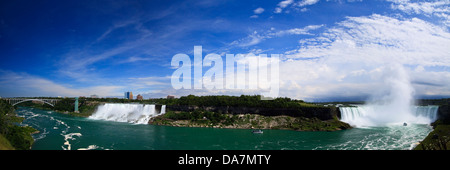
(391, 103)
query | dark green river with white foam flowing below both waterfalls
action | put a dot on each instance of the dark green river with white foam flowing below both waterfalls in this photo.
(64, 132)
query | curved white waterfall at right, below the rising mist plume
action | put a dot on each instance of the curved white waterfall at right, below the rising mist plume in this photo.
(371, 115)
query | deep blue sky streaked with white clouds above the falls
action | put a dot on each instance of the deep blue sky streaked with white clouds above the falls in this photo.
(331, 49)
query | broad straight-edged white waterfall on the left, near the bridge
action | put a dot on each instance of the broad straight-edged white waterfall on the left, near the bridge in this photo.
(131, 113)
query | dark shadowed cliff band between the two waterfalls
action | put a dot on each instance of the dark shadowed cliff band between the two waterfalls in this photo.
(322, 113)
